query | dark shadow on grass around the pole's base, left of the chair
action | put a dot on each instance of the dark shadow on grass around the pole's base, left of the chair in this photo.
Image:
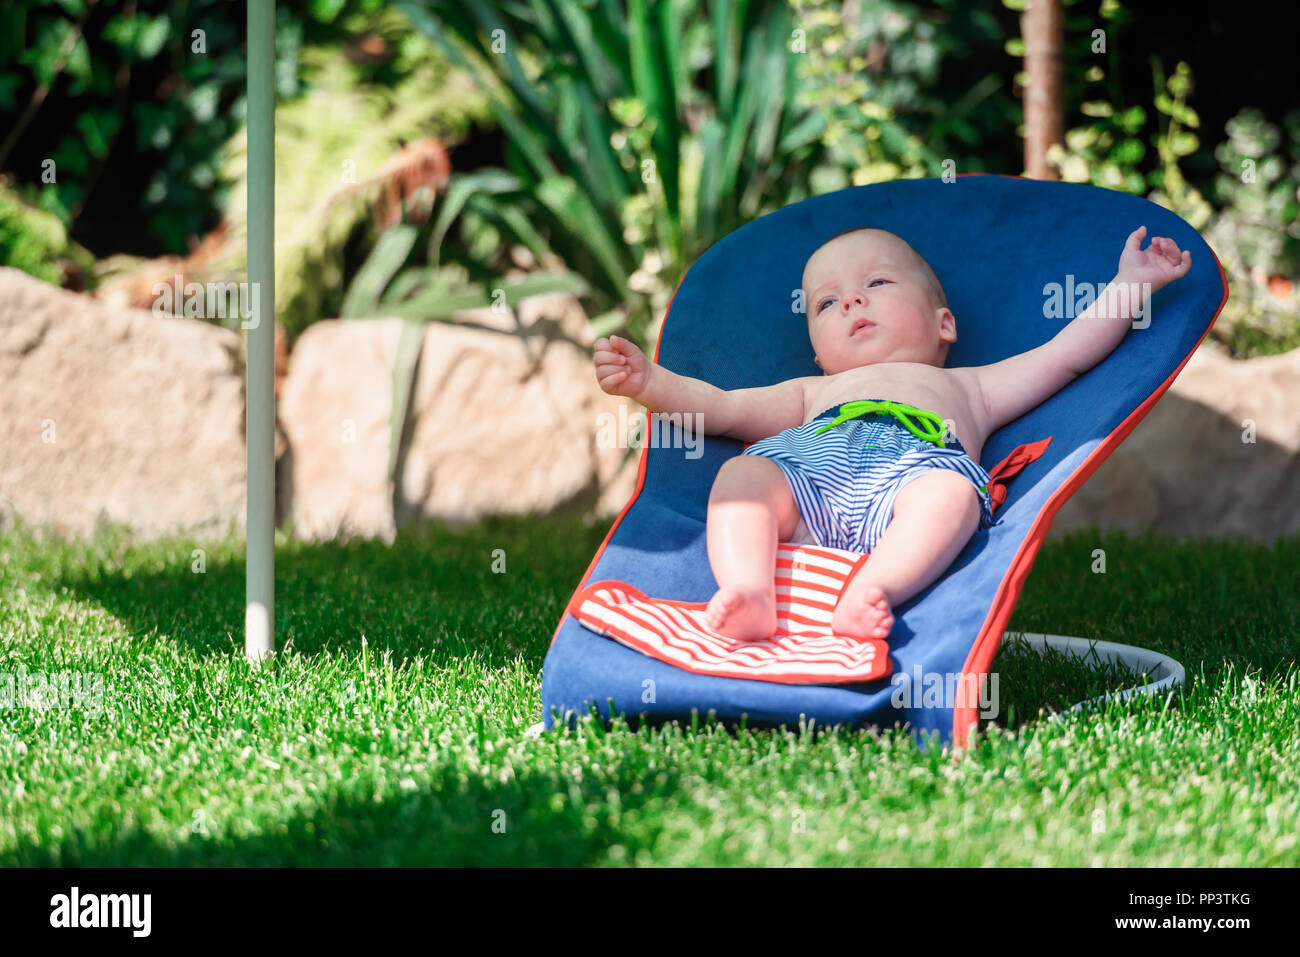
(496, 590)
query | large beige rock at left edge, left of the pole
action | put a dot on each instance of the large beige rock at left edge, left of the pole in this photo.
(118, 417)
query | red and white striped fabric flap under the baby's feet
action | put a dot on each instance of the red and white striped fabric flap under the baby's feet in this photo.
(804, 651)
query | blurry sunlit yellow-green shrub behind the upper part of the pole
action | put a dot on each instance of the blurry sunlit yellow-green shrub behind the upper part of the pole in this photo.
(332, 149)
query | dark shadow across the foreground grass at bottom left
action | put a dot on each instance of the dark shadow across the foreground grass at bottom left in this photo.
(535, 820)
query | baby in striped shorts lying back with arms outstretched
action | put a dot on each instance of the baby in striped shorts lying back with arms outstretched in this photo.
(879, 454)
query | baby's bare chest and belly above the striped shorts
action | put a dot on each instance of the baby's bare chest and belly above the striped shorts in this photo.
(951, 393)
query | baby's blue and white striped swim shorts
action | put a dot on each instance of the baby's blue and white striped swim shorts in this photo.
(847, 479)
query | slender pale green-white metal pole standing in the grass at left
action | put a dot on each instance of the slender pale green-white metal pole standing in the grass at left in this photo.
(259, 367)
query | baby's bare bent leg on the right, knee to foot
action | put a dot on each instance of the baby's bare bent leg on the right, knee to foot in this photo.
(934, 517)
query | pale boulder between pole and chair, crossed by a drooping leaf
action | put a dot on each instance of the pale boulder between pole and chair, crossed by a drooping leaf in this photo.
(505, 418)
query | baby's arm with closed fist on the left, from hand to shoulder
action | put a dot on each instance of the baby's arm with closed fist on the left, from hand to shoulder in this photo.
(744, 414)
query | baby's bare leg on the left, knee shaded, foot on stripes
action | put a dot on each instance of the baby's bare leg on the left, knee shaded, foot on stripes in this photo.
(751, 509)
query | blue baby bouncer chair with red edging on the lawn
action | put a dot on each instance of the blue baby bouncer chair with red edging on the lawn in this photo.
(996, 243)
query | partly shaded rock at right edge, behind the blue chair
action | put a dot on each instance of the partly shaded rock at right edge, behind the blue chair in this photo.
(1193, 469)
